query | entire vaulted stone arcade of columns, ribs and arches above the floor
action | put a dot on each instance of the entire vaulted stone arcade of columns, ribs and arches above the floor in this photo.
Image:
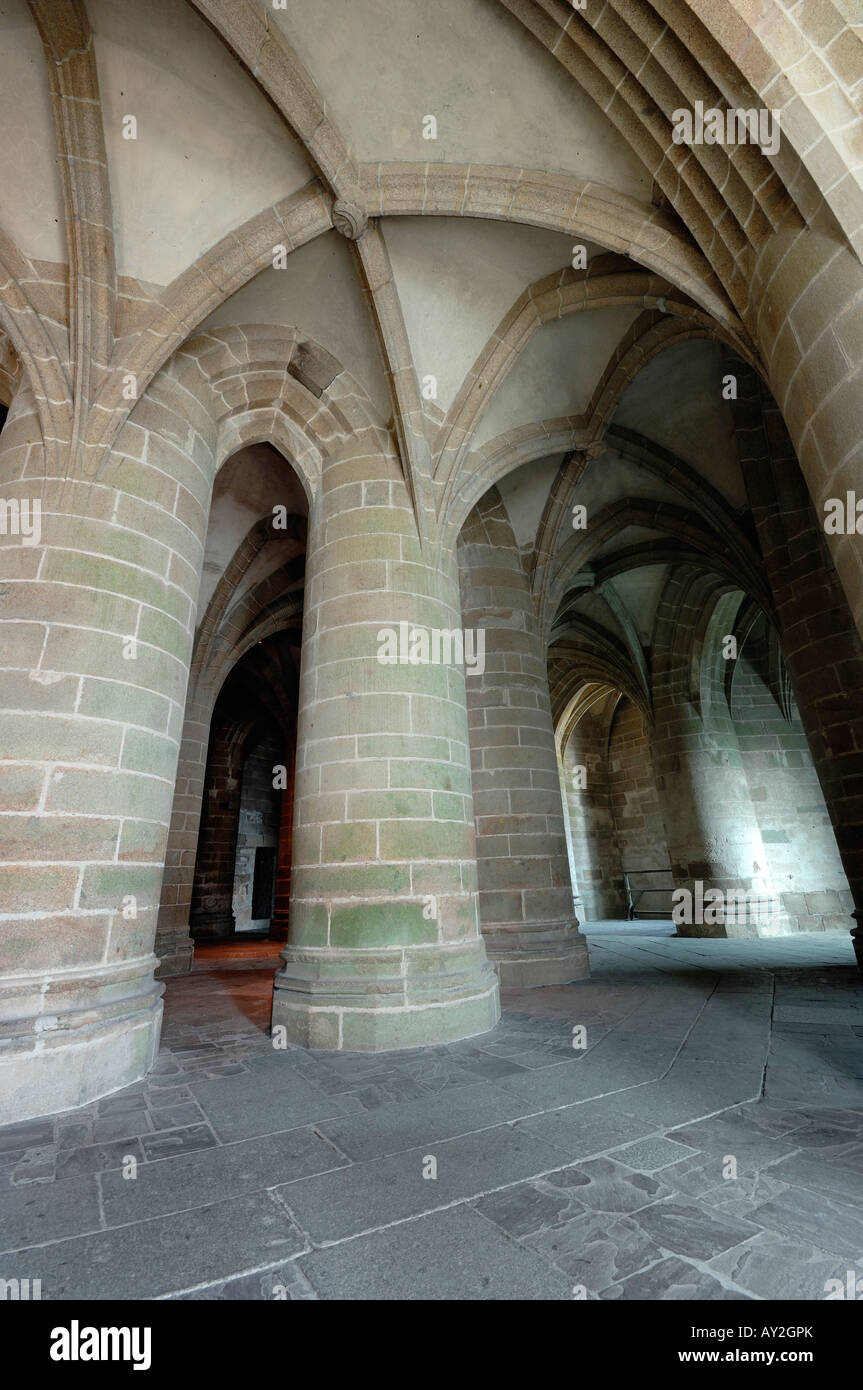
(290, 369)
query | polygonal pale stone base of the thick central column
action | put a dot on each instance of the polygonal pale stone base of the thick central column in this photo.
(381, 1001)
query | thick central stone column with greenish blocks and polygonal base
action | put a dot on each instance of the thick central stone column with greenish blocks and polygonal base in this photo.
(386, 949)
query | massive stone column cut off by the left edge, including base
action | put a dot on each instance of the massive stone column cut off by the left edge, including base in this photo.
(95, 640)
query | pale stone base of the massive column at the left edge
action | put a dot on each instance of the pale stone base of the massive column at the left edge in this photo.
(69, 1039)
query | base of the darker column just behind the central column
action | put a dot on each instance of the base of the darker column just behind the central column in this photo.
(530, 956)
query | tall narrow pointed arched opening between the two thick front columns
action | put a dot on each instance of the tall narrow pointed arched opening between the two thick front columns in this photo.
(229, 865)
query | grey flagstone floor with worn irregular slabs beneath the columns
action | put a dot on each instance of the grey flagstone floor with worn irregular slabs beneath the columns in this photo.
(707, 1143)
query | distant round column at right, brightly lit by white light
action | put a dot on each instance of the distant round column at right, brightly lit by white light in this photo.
(711, 825)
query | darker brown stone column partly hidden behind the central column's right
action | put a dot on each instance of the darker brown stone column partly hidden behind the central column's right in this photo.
(526, 890)
